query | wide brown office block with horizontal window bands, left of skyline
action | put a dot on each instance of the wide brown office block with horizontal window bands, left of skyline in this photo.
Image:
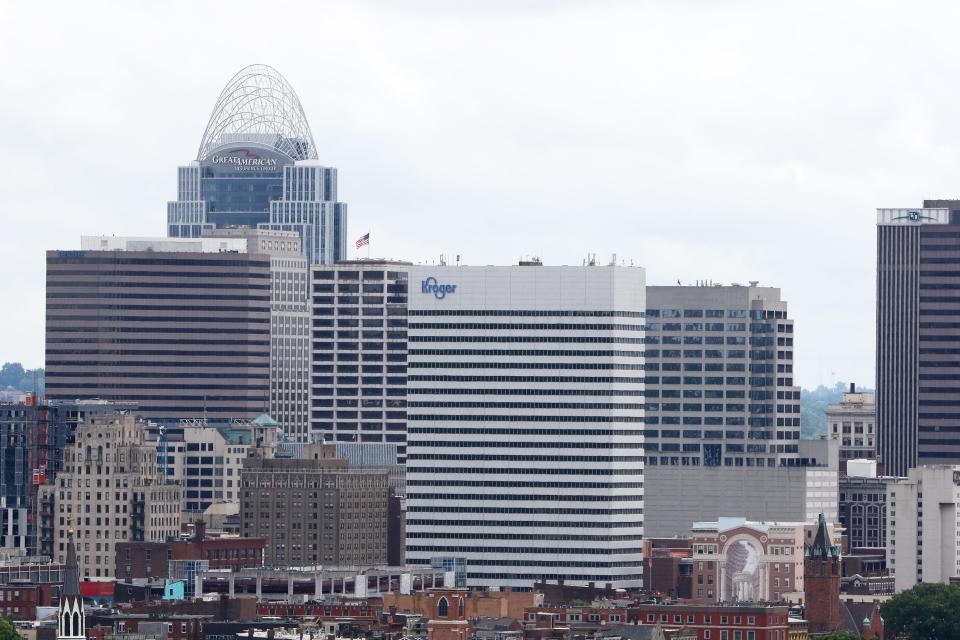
(180, 327)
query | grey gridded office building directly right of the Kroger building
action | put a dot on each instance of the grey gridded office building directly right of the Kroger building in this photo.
(719, 379)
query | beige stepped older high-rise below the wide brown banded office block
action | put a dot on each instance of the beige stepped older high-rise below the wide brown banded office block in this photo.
(110, 491)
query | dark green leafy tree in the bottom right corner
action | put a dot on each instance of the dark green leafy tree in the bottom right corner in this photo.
(926, 612)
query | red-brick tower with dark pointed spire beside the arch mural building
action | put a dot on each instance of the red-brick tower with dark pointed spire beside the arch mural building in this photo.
(821, 582)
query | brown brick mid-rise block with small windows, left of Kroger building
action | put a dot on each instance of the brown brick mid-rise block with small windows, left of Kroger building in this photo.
(314, 510)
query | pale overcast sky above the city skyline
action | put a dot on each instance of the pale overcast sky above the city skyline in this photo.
(729, 141)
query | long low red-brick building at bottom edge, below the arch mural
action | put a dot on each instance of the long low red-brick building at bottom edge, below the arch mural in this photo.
(729, 622)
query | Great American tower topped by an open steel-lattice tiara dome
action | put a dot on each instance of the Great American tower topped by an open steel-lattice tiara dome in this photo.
(257, 168)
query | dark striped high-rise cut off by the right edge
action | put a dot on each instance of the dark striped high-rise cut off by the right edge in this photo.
(918, 274)
